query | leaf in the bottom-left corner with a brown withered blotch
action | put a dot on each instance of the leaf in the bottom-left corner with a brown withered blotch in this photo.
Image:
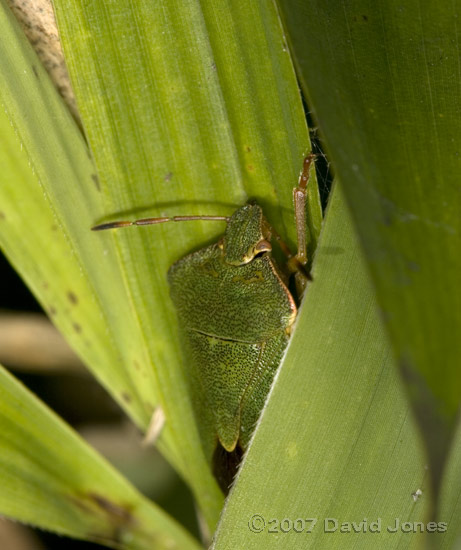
(53, 479)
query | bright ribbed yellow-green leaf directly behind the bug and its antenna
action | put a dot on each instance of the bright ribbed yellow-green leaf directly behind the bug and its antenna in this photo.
(183, 118)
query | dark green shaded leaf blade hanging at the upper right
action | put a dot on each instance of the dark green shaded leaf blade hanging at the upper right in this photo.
(384, 82)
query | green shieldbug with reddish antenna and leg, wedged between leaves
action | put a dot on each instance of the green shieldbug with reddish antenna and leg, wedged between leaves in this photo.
(236, 312)
